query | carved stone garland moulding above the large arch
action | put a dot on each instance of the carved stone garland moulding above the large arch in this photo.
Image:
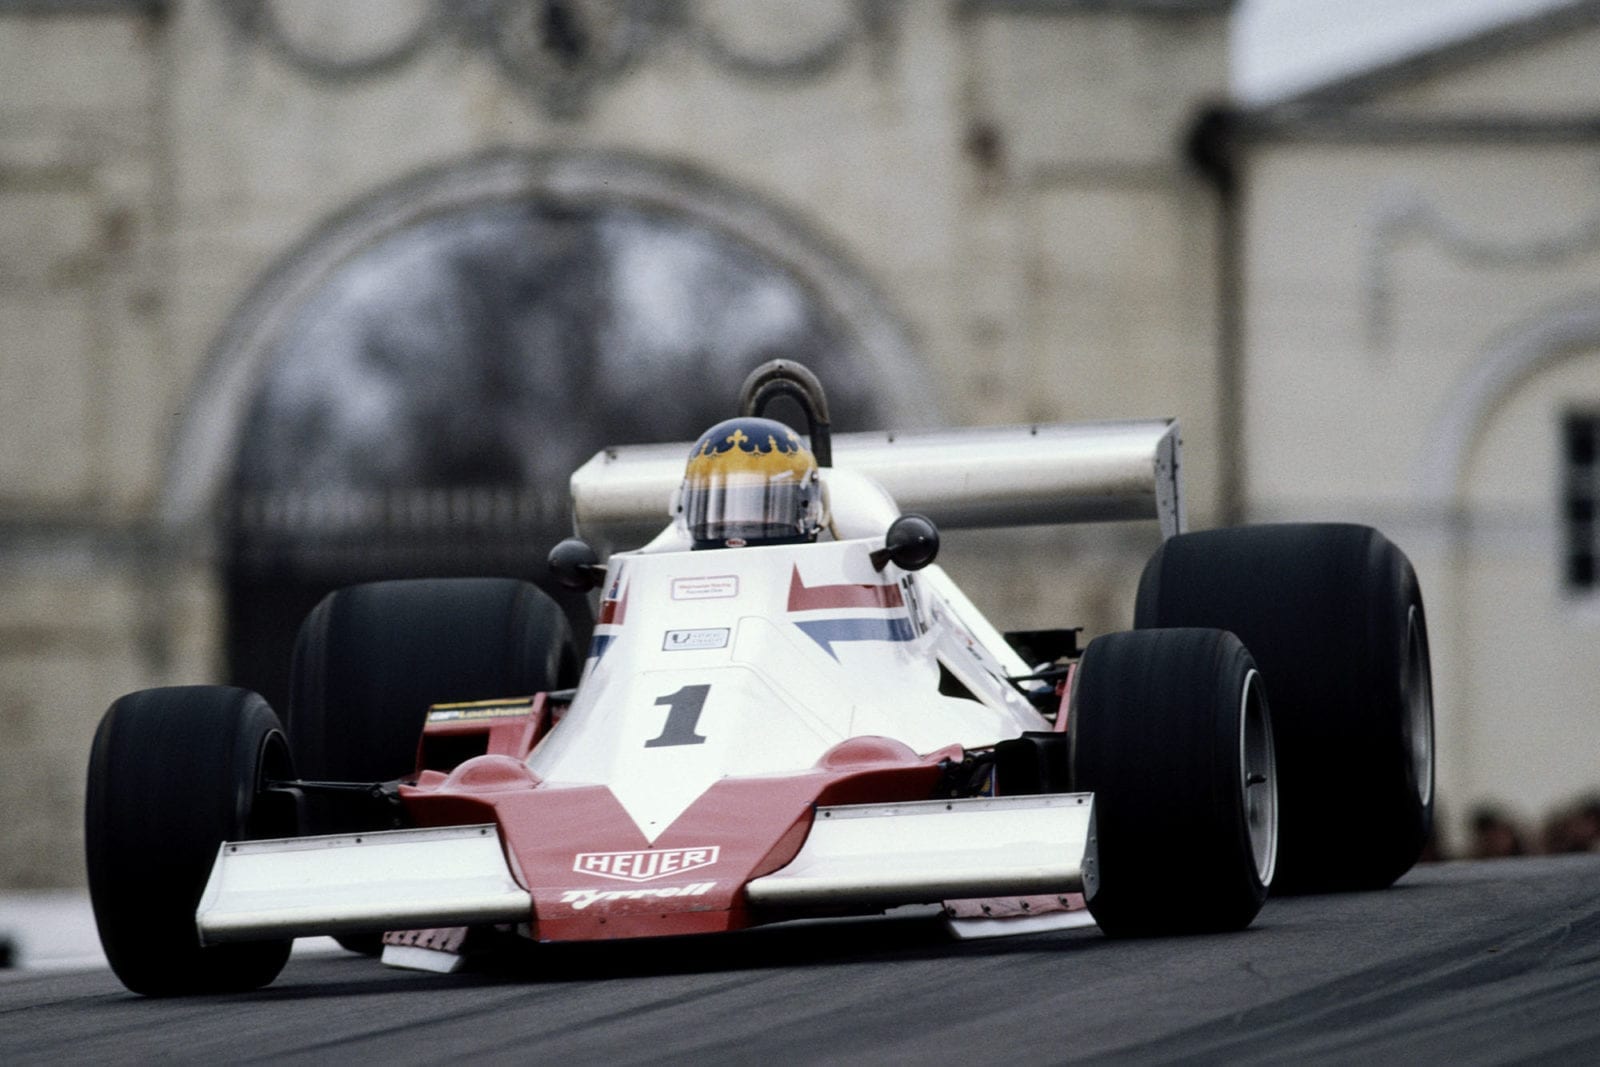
(564, 52)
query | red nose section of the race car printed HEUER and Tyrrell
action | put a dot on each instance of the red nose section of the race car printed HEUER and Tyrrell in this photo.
(593, 873)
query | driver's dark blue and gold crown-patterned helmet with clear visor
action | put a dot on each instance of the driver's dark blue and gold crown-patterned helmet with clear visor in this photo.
(750, 482)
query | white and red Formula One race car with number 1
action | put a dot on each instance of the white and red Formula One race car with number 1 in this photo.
(786, 711)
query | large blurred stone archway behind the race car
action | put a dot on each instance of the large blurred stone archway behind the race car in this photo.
(410, 390)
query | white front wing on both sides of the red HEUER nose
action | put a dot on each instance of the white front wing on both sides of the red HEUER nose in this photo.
(857, 860)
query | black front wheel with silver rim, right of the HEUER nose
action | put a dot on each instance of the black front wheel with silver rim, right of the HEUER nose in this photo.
(1170, 732)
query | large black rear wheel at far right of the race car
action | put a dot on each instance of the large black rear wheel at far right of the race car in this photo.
(1334, 617)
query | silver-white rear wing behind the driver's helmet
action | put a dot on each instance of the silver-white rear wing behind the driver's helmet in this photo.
(1022, 476)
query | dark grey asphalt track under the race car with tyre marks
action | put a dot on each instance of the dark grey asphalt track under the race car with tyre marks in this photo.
(1465, 964)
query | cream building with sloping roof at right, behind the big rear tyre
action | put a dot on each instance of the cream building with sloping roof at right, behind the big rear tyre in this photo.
(1420, 348)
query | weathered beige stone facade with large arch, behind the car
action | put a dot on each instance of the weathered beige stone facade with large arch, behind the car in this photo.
(255, 254)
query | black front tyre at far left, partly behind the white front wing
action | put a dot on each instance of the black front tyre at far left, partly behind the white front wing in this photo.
(175, 773)
